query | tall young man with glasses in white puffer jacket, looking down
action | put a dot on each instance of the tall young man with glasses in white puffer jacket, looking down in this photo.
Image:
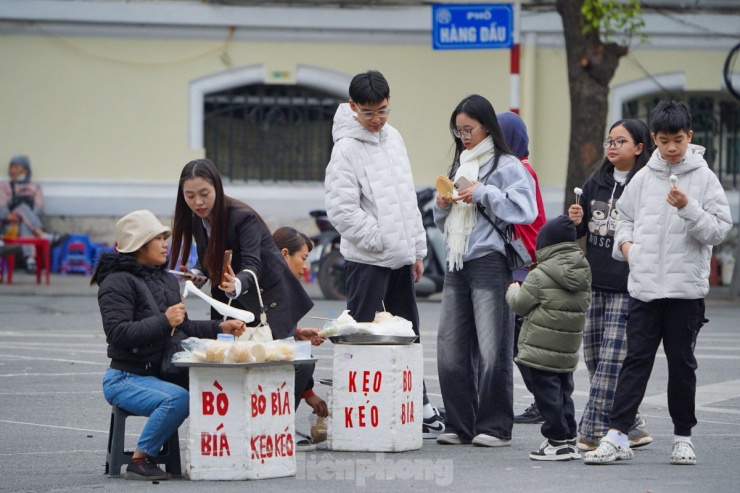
(371, 201)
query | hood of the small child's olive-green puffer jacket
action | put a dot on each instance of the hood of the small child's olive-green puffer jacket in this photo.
(571, 271)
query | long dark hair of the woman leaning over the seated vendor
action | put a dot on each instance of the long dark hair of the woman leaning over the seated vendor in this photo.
(185, 218)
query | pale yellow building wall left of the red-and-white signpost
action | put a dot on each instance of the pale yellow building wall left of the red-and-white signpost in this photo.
(102, 108)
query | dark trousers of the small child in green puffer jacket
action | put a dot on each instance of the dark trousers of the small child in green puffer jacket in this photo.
(553, 395)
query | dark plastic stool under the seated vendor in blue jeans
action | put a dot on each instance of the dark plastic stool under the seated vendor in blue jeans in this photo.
(118, 457)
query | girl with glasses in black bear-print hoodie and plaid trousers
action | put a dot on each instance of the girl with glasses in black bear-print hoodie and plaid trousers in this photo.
(628, 148)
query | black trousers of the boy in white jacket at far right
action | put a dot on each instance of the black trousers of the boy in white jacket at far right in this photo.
(676, 322)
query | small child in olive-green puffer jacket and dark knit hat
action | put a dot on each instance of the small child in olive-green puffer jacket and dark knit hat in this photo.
(553, 300)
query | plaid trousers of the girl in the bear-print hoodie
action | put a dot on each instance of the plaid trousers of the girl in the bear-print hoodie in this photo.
(604, 350)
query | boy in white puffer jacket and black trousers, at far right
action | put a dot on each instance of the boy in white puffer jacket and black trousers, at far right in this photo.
(670, 215)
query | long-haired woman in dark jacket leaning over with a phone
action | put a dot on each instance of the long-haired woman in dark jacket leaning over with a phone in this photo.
(219, 223)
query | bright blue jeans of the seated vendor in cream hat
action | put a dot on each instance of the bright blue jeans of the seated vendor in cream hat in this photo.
(166, 404)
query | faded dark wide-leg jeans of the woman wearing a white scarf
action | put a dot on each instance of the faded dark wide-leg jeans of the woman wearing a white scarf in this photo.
(475, 349)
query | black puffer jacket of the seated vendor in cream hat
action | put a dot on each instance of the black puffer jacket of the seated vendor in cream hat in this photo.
(136, 336)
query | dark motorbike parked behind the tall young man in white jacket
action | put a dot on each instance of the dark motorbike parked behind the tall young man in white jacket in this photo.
(326, 263)
